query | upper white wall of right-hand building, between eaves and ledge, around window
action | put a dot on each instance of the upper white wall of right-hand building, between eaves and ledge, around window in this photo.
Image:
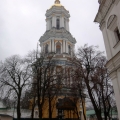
(108, 35)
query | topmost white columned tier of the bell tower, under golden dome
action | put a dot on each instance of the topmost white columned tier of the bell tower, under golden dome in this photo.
(57, 17)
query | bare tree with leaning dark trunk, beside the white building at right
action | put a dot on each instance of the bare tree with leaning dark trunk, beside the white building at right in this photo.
(90, 68)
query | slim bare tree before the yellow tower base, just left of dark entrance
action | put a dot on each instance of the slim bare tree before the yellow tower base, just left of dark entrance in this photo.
(55, 78)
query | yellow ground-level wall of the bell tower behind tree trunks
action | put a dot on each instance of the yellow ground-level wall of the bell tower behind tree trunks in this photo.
(67, 113)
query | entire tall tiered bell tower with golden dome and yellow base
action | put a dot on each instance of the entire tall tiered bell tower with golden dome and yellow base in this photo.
(57, 40)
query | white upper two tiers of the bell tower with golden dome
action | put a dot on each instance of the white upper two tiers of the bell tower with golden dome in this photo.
(57, 38)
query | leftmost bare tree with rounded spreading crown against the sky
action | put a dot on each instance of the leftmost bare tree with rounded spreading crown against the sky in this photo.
(15, 77)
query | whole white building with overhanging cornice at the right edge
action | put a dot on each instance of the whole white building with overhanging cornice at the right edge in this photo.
(108, 17)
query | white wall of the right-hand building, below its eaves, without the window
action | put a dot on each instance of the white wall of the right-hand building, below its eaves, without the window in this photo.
(112, 51)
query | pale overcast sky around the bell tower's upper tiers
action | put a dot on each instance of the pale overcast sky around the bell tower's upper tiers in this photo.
(22, 22)
